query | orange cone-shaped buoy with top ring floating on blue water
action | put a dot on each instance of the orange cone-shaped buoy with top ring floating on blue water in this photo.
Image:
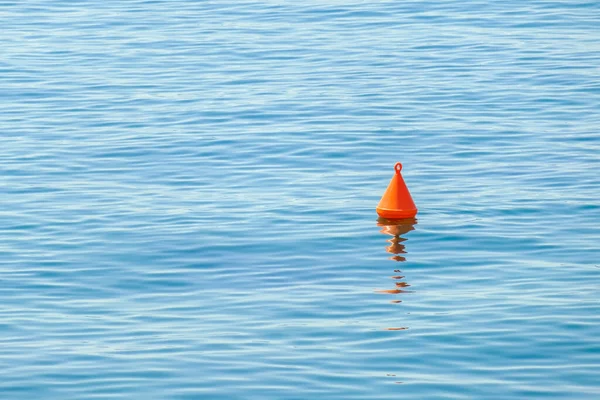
(396, 202)
